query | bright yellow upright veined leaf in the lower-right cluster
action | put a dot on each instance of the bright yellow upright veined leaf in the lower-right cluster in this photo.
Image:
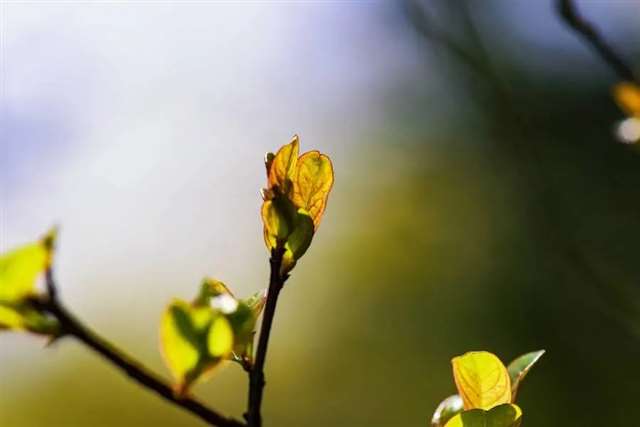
(482, 380)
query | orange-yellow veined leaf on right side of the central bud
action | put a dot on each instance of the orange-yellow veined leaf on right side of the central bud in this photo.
(312, 183)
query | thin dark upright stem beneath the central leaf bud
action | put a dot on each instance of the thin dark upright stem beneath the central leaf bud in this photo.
(256, 376)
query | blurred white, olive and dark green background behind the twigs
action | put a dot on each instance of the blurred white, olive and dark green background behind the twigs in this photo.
(482, 200)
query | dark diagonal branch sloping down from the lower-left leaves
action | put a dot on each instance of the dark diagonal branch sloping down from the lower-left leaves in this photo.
(71, 326)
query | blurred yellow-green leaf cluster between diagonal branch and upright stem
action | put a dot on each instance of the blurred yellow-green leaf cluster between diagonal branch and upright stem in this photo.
(194, 340)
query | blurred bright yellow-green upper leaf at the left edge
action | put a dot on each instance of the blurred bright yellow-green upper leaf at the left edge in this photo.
(20, 268)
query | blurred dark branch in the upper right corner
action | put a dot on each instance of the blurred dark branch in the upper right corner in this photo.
(571, 16)
